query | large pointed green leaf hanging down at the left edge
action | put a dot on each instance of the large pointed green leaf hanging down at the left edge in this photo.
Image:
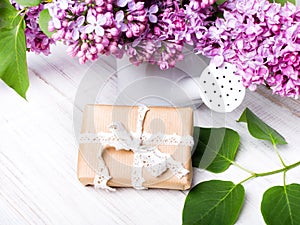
(13, 66)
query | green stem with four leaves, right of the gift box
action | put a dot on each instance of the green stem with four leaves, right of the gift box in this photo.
(220, 201)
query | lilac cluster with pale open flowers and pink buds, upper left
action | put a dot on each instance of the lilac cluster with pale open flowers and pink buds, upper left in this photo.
(87, 27)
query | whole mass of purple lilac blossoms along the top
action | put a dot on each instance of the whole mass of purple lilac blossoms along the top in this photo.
(261, 38)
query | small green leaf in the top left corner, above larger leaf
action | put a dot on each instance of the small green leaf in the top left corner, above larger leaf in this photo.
(8, 14)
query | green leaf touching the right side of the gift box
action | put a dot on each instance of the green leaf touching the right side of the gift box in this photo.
(215, 148)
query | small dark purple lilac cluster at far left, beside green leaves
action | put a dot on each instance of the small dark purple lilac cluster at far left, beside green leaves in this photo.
(36, 40)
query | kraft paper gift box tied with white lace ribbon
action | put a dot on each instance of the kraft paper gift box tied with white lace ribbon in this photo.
(140, 147)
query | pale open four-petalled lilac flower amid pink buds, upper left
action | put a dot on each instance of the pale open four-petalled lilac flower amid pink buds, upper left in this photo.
(95, 24)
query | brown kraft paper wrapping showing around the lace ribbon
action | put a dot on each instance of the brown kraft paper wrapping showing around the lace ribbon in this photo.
(167, 120)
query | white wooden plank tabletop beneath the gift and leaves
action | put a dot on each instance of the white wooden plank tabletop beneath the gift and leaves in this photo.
(38, 155)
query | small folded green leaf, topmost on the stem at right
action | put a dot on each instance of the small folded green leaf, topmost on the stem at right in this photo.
(259, 129)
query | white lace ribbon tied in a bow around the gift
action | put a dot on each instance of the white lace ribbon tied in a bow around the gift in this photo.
(143, 145)
